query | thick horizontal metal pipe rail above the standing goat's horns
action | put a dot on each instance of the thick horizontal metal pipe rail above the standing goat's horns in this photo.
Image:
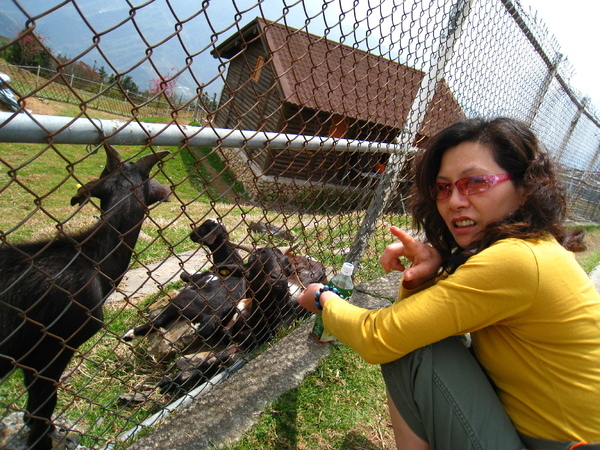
(42, 129)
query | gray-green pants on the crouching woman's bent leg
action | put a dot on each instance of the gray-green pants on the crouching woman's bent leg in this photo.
(447, 400)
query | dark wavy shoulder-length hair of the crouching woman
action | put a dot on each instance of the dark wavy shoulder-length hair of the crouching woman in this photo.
(517, 150)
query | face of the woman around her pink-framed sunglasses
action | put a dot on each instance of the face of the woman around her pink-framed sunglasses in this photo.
(467, 215)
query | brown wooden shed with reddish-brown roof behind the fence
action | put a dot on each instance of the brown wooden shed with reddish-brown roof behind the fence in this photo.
(281, 79)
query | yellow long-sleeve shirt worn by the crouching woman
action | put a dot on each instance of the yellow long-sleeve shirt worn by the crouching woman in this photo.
(534, 318)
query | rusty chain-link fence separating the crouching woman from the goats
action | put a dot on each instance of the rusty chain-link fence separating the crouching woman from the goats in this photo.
(270, 124)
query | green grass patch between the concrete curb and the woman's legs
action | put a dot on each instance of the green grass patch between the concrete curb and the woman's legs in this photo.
(339, 406)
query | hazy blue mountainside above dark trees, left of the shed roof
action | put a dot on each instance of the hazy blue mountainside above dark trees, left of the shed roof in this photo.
(143, 40)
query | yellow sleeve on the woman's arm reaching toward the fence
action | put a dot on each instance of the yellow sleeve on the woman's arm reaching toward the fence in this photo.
(493, 286)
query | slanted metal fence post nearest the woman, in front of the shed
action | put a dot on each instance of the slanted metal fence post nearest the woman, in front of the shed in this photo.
(389, 181)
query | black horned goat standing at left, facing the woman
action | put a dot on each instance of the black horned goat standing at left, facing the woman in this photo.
(52, 292)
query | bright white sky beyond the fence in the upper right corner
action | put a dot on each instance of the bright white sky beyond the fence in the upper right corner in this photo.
(575, 25)
